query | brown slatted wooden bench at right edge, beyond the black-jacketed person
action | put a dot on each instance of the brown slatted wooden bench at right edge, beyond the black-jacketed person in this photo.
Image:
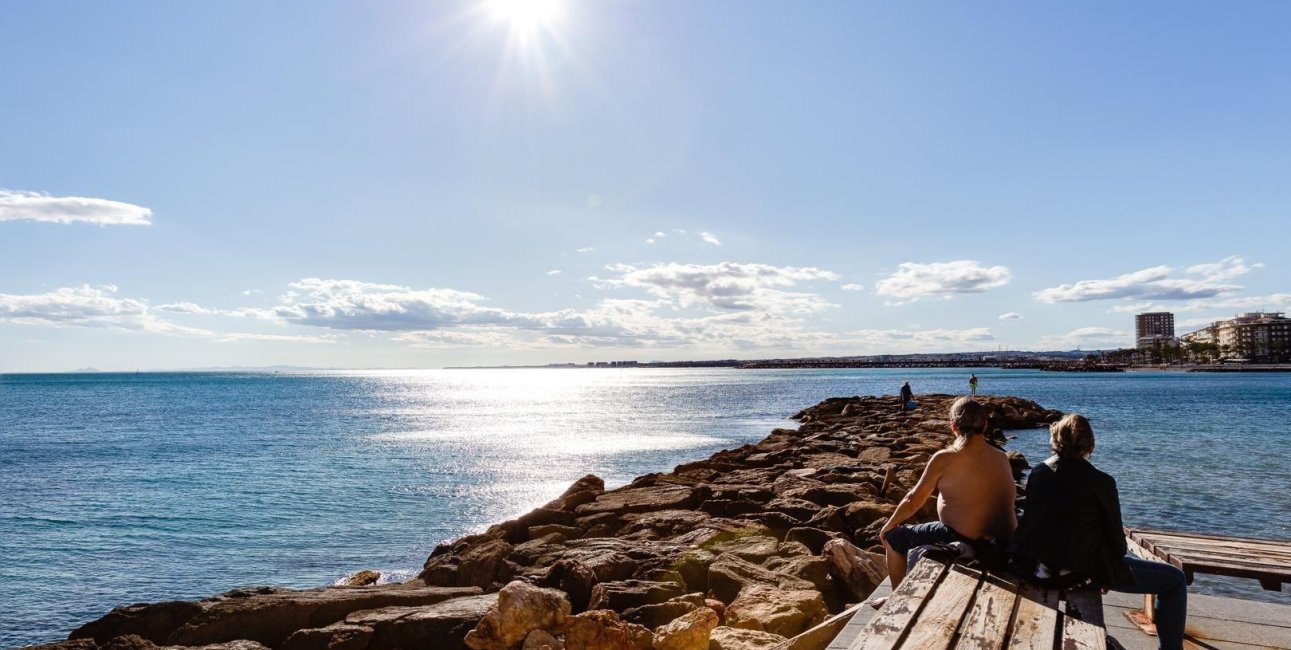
(1263, 560)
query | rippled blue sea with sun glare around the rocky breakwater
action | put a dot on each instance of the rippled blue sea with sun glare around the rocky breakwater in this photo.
(122, 489)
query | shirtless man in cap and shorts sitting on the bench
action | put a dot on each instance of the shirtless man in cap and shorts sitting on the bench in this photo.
(975, 493)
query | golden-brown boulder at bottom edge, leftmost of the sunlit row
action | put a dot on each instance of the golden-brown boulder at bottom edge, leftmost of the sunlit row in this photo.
(521, 609)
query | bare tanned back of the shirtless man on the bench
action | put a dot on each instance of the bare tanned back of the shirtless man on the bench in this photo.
(977, 492)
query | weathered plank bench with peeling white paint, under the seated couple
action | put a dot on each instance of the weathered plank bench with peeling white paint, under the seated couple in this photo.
(952, 607)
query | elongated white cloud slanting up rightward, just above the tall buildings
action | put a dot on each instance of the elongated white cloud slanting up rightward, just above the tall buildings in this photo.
(1155, 284)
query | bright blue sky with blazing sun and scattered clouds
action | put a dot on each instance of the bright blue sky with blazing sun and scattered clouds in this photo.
(429, 184)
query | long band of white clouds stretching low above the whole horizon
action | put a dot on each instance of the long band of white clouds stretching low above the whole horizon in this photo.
(685, 307)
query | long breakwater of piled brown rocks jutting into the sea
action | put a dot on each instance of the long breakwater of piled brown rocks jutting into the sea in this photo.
(747, 550)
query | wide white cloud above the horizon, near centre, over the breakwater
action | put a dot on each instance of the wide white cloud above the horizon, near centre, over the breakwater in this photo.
(726, 286)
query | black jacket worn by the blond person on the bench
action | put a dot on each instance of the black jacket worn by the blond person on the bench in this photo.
(1072, 520)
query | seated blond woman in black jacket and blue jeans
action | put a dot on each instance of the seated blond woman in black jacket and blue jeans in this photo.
(1071, 530)
